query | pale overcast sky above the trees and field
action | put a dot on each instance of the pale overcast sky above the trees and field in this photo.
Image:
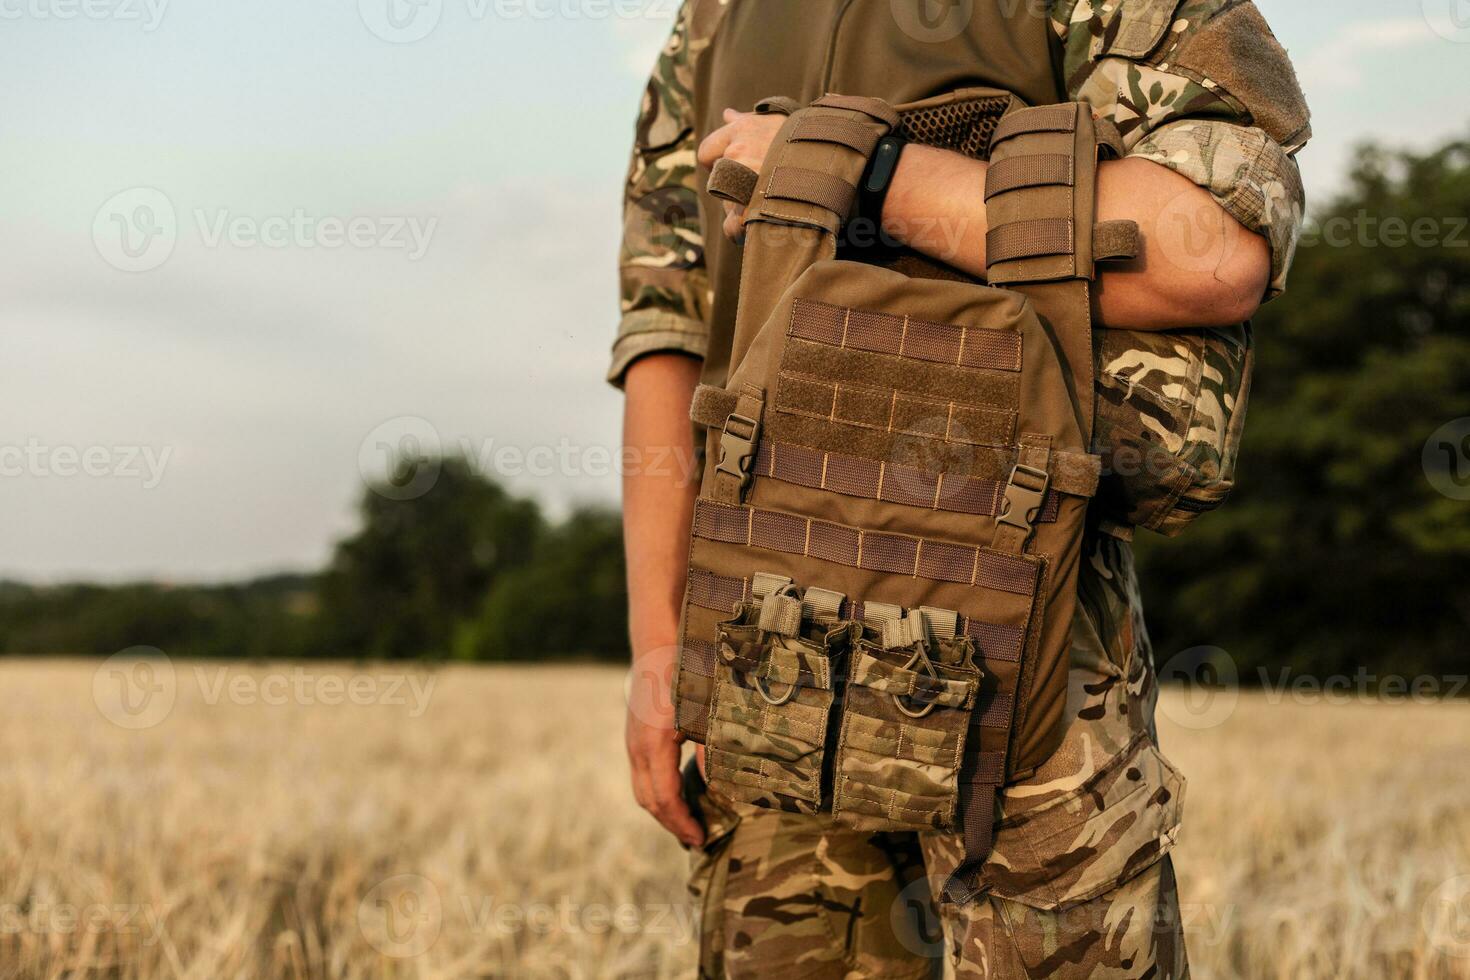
(246, 245)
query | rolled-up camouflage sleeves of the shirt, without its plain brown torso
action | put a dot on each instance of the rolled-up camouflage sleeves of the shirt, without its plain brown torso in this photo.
(1177, 79)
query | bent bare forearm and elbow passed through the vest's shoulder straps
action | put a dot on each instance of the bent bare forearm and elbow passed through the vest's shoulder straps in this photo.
(1199, 268)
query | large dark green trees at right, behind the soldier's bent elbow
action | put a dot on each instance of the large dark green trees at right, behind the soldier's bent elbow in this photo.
(1338, 552)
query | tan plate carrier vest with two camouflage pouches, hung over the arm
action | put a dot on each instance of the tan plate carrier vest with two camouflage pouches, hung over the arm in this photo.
(886, 547)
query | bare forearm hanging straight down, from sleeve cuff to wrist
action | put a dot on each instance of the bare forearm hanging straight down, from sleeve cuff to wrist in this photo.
(658, 494)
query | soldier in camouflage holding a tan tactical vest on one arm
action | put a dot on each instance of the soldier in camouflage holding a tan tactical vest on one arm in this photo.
(1080, 882)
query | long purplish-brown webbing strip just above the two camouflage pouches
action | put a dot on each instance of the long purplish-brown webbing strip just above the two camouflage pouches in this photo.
(858, 549)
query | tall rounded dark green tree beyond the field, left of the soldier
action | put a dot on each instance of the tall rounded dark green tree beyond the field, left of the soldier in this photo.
(399, 587)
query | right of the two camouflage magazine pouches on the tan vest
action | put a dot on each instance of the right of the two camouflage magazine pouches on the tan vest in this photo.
(908, 710)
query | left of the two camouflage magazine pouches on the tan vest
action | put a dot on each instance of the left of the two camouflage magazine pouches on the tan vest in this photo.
(771, 712)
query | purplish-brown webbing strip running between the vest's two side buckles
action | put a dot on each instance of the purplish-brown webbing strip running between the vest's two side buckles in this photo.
(889, 483)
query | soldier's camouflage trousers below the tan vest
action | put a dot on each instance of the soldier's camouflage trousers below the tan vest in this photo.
(1080, 881)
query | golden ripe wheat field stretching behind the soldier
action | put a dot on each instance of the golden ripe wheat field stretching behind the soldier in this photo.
(362, 822)
